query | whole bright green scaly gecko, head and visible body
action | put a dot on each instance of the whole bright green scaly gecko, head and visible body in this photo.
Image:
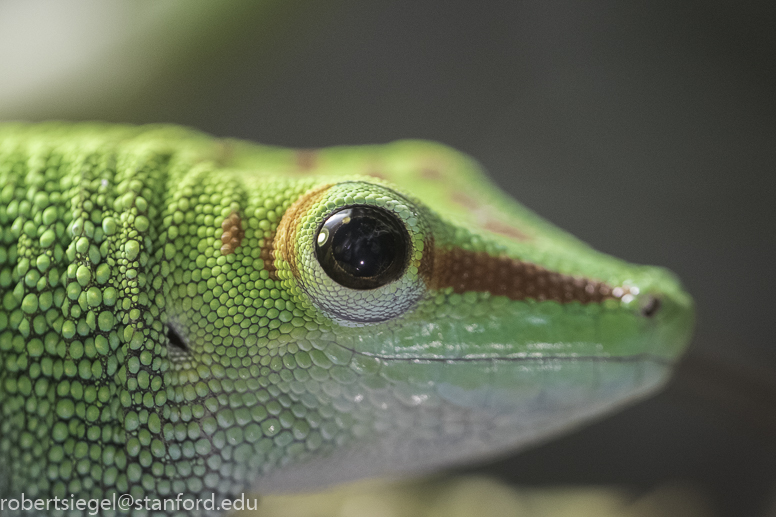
(198, 316)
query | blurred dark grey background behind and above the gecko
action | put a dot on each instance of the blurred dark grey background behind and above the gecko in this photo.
(648, 129)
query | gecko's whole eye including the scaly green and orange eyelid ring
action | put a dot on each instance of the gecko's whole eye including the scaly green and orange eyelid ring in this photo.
(358, 252)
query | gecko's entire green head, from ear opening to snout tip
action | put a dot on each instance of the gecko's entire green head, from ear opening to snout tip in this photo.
(350, 326)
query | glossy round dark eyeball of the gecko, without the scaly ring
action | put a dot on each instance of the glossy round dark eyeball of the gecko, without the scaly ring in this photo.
(362, 247)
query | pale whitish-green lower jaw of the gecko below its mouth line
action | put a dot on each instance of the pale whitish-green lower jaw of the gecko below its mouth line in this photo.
(476, 410)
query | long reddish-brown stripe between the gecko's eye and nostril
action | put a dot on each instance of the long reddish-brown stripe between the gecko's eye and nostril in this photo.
(465, 270)
